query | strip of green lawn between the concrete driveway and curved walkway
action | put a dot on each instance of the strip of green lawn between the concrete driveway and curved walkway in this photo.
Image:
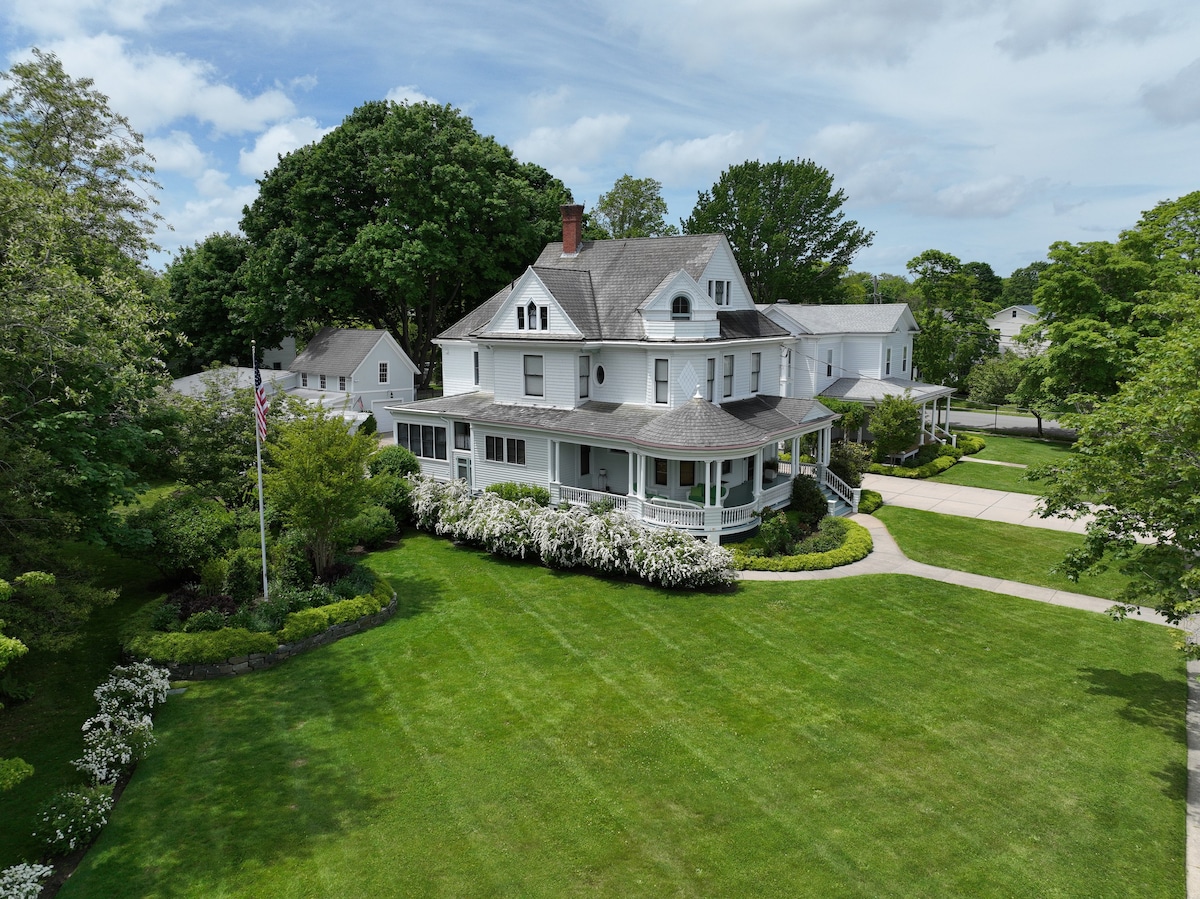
(994, 549)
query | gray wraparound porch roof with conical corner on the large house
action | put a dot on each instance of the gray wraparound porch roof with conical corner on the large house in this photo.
(697, 425)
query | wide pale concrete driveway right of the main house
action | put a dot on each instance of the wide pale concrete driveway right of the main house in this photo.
(968, 502)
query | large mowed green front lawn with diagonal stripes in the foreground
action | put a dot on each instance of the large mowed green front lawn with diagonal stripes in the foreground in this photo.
(519, 732)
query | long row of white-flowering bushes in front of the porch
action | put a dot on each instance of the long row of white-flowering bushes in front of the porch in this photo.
(605, 541)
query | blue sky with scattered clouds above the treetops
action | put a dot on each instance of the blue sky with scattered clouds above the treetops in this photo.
(983, 129)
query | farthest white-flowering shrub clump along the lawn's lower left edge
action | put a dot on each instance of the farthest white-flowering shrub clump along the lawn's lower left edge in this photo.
(123, 732)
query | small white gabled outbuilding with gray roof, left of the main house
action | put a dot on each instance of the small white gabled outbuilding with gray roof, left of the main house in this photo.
(353, 371)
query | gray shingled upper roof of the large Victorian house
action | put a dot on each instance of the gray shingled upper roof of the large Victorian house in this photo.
(602, 287)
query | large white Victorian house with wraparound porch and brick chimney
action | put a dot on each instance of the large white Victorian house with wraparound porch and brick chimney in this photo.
(633, 371)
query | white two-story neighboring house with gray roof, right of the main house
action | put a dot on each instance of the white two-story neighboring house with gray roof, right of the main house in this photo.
(860, 355)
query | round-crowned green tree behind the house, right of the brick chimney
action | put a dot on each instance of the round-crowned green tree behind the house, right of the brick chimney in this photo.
(787, 226)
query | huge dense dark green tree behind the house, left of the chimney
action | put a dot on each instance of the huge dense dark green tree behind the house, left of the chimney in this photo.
(403, 218)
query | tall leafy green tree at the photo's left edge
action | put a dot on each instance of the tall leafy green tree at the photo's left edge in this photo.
(81, 317)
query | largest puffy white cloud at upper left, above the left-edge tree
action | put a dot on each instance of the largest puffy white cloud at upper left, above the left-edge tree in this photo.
(155, 89)
